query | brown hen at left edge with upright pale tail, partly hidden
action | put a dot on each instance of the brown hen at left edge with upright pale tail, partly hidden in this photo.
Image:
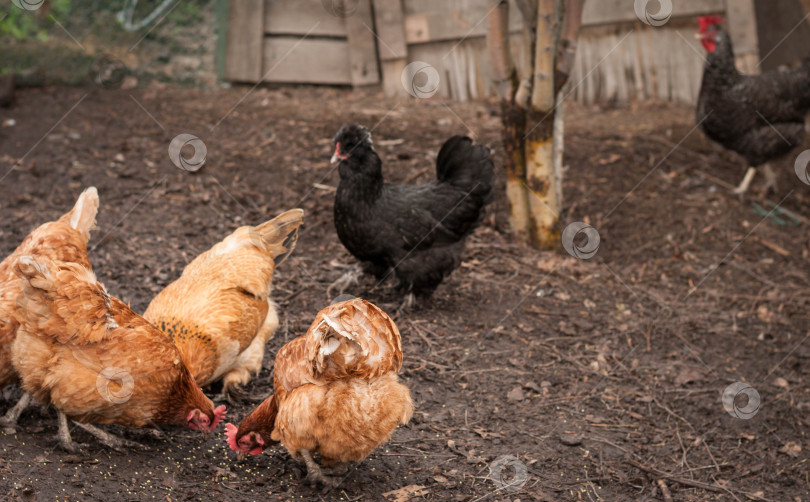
(65, 240)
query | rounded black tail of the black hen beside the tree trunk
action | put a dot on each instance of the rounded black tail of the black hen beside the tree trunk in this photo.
(467, 166)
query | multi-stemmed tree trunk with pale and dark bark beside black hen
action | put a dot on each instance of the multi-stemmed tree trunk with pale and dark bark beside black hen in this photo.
(531, 111)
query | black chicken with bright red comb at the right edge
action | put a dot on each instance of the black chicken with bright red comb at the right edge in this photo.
(760, 117)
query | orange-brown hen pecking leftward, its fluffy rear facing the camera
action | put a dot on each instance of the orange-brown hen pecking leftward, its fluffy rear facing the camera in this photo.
(336, 391)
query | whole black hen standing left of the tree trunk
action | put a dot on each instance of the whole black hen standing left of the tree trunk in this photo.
(415, 231)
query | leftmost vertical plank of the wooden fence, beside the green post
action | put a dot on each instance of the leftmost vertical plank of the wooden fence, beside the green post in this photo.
(243, 46)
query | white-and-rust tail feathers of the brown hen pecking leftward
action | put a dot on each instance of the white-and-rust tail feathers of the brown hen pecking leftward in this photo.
(353, 339)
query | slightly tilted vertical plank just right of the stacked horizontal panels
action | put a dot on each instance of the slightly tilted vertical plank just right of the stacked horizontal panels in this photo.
(362, 49)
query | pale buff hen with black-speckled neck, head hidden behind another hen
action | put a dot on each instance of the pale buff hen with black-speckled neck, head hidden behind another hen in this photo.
(219, 311)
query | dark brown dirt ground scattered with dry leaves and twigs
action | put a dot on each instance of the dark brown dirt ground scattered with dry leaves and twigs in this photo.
(602, 378)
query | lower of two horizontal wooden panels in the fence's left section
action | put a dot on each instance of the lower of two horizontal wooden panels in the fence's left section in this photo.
(306, 61)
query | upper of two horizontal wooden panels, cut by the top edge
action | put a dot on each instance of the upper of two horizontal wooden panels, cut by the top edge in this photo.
(298, 17)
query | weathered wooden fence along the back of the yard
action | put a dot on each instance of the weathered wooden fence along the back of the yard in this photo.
(619, 57)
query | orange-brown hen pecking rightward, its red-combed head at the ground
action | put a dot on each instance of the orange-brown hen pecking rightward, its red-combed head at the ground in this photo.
(95, 360)
